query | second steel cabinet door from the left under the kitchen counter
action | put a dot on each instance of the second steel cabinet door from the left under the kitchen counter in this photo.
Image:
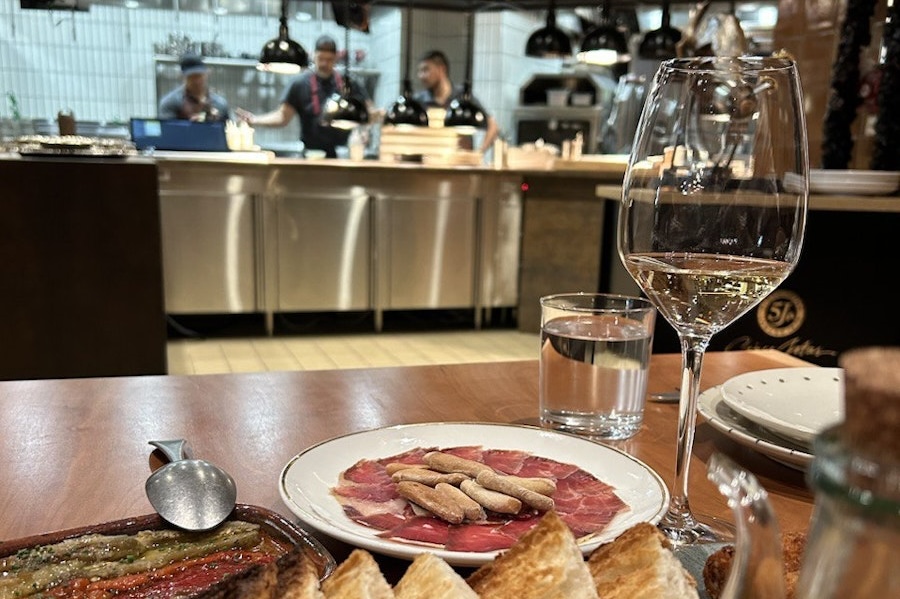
(324, 254)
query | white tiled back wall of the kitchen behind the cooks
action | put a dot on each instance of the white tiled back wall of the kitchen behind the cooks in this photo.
(100, 63)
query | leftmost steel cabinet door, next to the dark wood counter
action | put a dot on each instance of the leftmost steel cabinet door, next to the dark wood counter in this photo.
(209, 252)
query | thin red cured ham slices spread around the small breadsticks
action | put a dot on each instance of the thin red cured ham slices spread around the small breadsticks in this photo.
(369, 496)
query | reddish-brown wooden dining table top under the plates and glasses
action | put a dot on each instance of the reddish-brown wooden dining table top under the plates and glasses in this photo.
(75, 451)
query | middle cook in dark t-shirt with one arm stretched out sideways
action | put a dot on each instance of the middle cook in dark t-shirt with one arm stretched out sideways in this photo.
(306, 96)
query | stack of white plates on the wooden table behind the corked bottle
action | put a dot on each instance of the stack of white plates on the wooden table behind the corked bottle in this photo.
(777, 412)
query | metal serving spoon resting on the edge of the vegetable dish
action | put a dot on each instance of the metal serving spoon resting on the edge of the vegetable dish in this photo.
(191, 494)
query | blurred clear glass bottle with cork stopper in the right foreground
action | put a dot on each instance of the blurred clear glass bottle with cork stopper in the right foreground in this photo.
(853, 546)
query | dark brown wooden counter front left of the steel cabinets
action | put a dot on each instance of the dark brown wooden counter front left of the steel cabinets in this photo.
(82, 289)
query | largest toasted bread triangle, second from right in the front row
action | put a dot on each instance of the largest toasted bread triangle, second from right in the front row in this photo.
(545, 563)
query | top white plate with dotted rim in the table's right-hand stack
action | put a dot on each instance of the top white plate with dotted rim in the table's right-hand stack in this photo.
(797, 403)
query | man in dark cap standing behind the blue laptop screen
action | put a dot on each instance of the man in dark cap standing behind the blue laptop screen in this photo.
(192, 100)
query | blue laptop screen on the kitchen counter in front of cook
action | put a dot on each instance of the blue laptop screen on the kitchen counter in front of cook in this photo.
(177, 134)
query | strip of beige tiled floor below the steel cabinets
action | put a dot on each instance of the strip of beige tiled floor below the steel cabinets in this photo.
(210, 356)
